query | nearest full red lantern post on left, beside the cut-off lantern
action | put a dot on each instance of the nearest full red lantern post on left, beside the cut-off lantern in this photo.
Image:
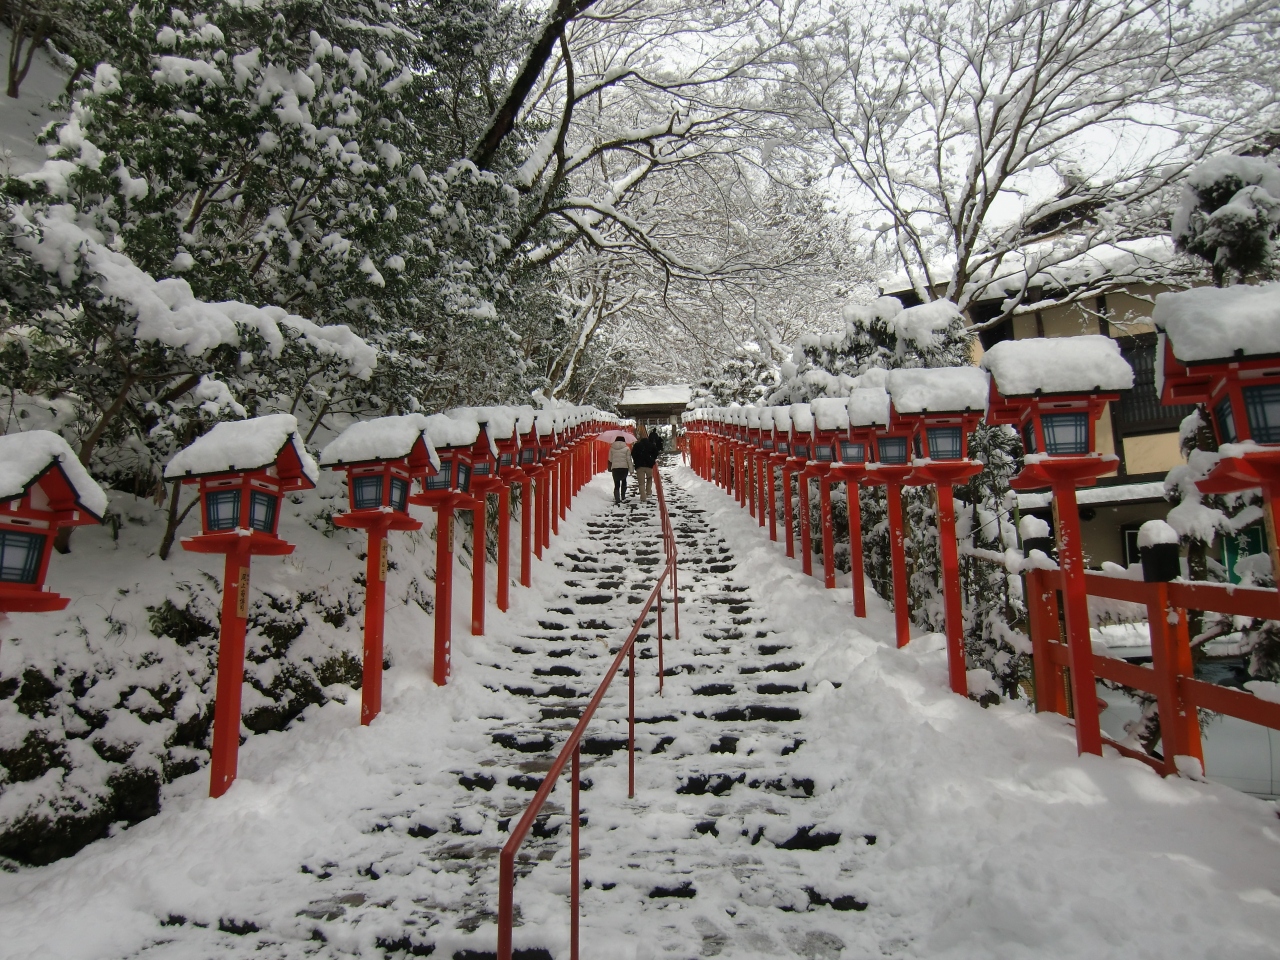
(243, 470)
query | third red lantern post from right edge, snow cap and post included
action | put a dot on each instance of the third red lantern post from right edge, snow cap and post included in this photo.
(943, 408)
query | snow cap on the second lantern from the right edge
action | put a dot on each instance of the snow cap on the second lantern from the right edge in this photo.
(1058, 365)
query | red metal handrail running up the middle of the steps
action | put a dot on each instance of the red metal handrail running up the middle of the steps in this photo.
(573, 749)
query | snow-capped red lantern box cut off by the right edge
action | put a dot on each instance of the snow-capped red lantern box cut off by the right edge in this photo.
(1222, 348)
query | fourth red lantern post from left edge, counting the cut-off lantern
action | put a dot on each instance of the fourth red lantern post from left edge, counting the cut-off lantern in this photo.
(446, 491)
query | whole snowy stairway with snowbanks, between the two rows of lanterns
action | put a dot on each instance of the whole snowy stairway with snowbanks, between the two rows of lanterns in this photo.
(803, 790)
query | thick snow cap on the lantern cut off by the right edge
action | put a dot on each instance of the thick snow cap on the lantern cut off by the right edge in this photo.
(1208, 323)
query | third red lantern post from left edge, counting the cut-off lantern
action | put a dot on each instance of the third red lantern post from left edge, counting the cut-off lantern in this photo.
(382, 459)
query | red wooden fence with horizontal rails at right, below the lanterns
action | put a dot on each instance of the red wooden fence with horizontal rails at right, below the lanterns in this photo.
(1171, 675)
